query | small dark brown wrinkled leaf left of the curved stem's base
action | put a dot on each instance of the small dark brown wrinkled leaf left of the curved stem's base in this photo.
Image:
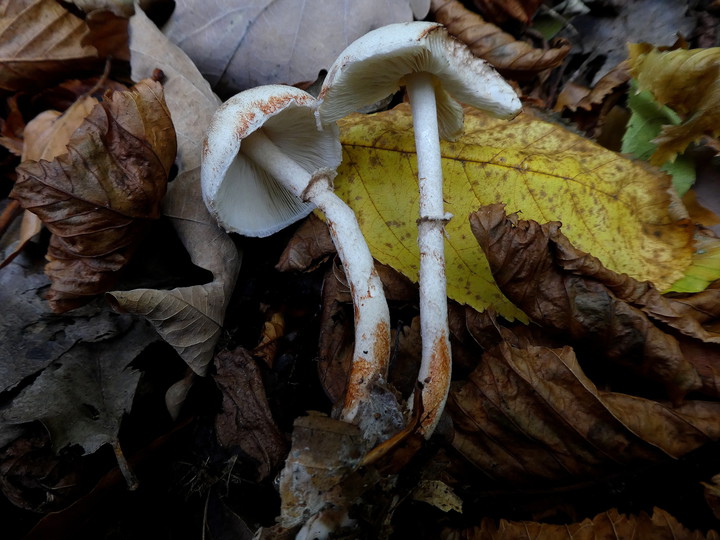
(245, 420)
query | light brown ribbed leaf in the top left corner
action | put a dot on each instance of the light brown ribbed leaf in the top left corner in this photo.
(40, 41)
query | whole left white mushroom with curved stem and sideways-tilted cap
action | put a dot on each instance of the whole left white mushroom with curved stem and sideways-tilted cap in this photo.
(264, 154)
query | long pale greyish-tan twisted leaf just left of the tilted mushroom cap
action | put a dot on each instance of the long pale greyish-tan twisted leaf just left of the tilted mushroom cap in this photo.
(188, 318)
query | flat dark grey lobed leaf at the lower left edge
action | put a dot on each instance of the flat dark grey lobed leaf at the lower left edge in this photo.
(70, 371)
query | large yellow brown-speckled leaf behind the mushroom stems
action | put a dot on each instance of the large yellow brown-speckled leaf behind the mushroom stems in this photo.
(610, 206)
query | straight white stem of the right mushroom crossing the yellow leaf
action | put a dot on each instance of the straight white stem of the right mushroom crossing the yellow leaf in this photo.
(435, 366)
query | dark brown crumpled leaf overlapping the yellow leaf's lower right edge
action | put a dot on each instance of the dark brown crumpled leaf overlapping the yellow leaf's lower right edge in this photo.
(523, 261)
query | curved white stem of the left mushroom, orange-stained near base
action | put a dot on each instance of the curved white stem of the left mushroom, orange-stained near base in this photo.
(372, 318)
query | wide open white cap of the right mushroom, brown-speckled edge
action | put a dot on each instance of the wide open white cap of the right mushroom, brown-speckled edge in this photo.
(373, 66)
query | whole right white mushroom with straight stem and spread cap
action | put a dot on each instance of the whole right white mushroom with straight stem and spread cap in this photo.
(436, 70)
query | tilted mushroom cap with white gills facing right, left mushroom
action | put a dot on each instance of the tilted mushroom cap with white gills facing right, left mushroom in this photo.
(240, 194)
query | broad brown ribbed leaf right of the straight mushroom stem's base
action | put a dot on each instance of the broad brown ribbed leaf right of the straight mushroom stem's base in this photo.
(531, 416)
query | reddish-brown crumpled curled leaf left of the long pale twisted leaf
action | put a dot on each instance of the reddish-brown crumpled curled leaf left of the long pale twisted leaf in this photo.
(98, 197)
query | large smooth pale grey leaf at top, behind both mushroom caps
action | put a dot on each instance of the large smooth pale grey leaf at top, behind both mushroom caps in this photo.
(275, 41)
